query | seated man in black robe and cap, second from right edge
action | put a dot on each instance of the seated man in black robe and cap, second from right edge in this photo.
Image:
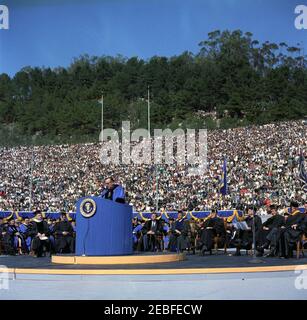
(269, 232)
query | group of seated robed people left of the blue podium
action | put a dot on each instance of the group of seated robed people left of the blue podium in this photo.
(37, 236)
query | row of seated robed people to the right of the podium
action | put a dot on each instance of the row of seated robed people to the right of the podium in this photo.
(277, 236)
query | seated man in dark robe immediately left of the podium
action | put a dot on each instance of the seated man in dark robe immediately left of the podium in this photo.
(63, 233)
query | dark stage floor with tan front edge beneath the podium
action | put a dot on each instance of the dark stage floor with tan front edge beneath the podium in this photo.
(183, 264)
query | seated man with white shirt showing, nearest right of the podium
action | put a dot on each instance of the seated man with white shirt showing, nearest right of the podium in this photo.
(151, 230)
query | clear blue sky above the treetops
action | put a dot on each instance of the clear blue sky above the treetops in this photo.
(53, 32)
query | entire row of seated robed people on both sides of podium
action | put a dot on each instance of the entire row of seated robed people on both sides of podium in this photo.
(278, 234)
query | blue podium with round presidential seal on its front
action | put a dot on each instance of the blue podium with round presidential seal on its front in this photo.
(103, 228)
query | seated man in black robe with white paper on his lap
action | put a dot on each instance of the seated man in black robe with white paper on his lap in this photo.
(39, 233)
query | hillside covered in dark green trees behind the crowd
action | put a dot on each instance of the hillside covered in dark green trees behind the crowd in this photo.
(233, 80)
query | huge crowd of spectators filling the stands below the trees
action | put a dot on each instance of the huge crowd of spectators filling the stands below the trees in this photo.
(262, 167)
